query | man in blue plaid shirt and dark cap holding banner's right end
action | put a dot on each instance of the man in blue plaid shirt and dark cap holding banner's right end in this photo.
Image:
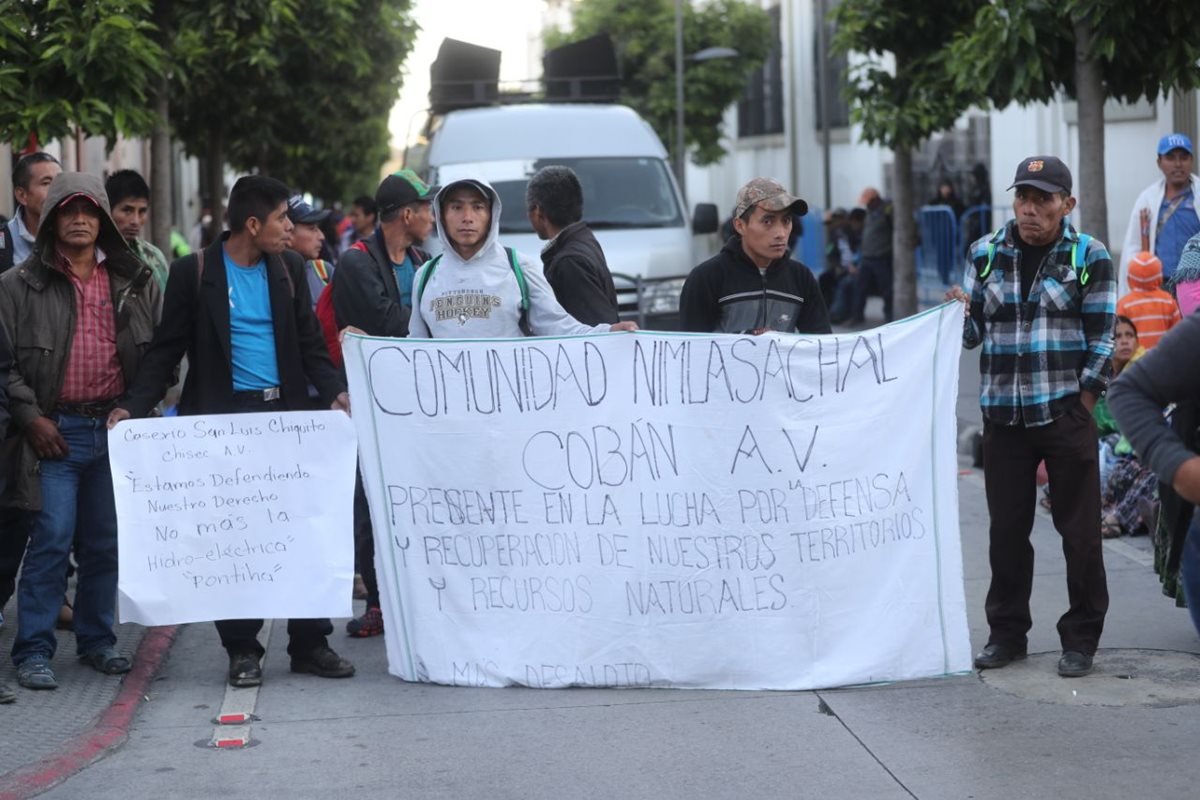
(1041, 299)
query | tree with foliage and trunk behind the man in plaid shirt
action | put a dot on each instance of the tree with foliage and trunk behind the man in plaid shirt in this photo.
(1029, 52)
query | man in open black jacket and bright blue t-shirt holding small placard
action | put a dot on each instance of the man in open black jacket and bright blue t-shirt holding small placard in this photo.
(242, 312)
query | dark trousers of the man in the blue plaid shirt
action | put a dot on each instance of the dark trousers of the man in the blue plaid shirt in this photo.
(1011, 456)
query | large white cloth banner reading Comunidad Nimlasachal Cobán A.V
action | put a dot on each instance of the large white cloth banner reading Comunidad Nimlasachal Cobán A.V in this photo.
(668, 510)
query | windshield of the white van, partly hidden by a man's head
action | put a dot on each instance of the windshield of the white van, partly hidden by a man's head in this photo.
(617, 194)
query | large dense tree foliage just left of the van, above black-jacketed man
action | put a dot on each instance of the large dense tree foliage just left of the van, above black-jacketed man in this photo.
(296, 89)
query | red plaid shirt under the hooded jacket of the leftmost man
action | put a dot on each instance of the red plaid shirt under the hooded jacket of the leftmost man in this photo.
(94, 371)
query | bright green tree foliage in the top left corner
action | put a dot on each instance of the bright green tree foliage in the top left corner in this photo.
(68, 64)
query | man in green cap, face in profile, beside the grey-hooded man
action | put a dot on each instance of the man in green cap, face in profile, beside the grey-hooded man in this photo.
(373, 291)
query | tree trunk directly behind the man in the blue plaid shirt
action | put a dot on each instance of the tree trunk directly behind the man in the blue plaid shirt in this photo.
(1094, 206)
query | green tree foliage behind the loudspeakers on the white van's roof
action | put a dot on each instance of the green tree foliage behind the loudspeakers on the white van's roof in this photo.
(644, 34)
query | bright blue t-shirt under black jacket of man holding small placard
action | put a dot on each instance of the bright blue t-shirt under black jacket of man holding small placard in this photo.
(251, 327)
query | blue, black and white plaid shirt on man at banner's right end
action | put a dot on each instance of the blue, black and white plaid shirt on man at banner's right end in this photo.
(1041, 352)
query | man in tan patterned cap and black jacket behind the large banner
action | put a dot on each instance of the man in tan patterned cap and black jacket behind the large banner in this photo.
(752, 286)
